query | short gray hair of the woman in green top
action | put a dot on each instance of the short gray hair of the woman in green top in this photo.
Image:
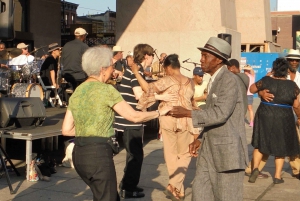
(96, 58)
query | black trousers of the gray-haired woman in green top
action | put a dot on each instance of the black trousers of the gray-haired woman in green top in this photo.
(94, 164)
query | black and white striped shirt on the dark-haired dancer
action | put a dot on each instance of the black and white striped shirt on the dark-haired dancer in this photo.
(126, 90)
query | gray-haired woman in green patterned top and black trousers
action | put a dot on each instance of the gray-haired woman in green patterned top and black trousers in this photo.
(89, 118)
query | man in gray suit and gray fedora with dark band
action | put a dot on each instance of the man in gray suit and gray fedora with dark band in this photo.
(223, 153)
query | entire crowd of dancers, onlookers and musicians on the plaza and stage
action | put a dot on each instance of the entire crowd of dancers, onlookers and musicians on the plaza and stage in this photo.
(197, 118)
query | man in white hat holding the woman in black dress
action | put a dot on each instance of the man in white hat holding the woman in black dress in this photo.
(293, 58)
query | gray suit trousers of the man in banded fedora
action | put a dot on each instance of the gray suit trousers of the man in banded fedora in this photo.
(210, 185)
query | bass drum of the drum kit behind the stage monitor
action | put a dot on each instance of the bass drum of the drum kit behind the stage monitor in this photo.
(27, 90)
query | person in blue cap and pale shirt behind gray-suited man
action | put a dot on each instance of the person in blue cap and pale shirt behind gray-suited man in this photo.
(200, 87)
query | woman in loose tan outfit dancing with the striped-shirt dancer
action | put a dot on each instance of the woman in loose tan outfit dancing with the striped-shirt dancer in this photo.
(177, 133)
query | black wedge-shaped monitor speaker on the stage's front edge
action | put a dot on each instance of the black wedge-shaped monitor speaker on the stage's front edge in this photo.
(21, 112)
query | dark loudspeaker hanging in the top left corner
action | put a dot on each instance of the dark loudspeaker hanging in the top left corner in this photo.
(6, 19)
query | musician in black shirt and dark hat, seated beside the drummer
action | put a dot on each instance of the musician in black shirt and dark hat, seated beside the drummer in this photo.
(49, 68)
